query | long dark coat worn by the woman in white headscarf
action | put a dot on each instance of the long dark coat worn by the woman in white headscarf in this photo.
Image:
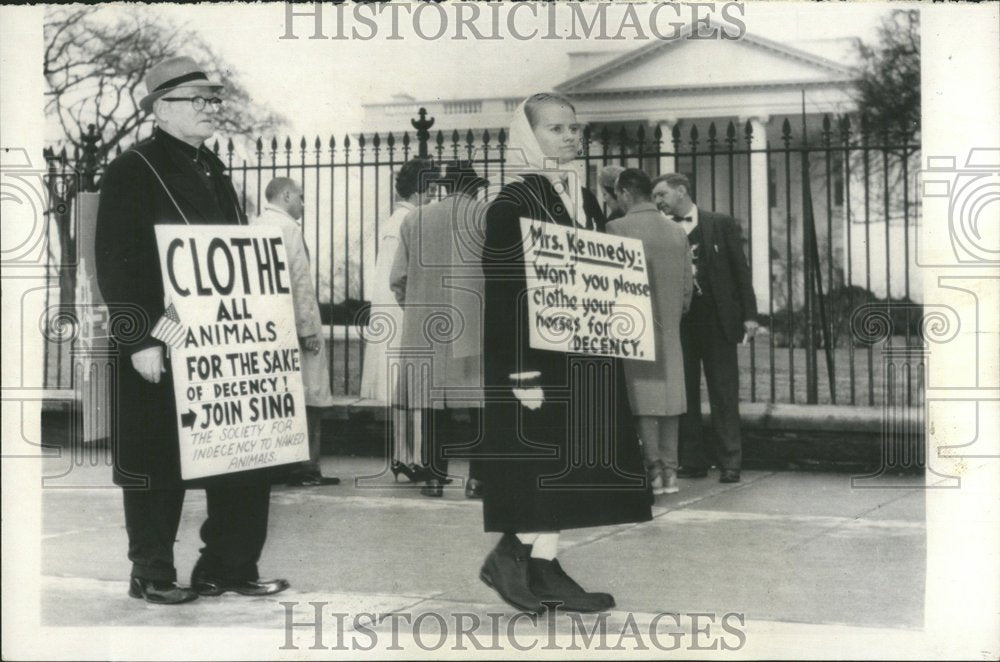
(574, 462)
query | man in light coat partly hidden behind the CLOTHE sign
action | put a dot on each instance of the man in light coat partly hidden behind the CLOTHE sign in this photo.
(283, 209)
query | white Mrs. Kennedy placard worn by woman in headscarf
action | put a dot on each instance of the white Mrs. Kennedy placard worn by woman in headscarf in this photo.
(588, 292)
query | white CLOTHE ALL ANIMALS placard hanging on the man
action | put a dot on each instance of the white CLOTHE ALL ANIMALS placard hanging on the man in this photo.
(234, 352)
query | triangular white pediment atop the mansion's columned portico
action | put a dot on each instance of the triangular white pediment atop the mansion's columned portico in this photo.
(692, 63)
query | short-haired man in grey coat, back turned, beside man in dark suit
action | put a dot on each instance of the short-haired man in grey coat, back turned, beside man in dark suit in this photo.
(656, 388)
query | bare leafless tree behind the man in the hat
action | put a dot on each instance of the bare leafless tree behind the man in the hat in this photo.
(95, 64)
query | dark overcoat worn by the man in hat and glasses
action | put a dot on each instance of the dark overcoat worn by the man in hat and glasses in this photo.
(132, 202)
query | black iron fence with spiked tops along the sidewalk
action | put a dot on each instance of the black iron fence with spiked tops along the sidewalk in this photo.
(829, 214)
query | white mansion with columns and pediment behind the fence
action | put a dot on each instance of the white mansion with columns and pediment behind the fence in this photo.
(752, 83)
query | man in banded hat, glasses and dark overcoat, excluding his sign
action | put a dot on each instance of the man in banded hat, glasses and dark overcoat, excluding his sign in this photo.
(169, 178)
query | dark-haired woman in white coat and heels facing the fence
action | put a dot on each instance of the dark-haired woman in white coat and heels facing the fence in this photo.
(385, 327)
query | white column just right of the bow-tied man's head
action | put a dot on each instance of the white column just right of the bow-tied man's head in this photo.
(760, 244)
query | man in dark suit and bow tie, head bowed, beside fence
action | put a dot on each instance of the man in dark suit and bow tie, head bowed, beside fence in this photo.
(723, 311)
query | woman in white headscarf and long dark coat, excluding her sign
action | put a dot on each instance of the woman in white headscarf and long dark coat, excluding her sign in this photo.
(559, 433)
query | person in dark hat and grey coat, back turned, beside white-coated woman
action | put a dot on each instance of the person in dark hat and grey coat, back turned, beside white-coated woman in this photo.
(437, 279)
